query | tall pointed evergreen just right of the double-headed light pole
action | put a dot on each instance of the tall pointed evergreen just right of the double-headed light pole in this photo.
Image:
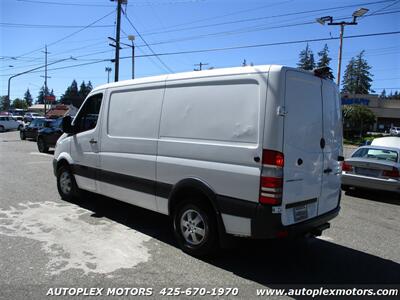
(357, 78)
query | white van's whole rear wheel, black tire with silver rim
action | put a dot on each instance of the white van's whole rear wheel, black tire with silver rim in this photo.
(195, 244)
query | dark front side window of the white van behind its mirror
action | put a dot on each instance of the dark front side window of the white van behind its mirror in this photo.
(88, 115)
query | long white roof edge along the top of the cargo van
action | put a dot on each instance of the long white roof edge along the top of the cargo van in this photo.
(198, 74)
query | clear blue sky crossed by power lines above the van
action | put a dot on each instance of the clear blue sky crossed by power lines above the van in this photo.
(171, 26)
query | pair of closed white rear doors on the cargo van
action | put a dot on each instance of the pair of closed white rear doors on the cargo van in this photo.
(312, 146)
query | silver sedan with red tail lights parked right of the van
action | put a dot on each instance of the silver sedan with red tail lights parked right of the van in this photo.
(372, 167)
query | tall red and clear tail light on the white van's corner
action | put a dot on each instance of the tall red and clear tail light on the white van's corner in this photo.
(271, 185)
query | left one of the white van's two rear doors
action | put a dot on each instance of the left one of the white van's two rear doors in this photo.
(304, 161)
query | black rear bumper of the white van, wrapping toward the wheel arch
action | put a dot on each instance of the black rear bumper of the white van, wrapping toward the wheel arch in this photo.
(268, 225)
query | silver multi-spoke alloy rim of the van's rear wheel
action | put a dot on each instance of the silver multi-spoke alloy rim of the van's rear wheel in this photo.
(193, 227)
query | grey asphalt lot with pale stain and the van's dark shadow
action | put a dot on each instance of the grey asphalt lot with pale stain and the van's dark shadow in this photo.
(46, 242)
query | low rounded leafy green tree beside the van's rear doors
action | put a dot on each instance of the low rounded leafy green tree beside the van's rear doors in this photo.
(358, 118)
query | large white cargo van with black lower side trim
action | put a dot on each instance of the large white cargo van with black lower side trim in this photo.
(251, 151)
